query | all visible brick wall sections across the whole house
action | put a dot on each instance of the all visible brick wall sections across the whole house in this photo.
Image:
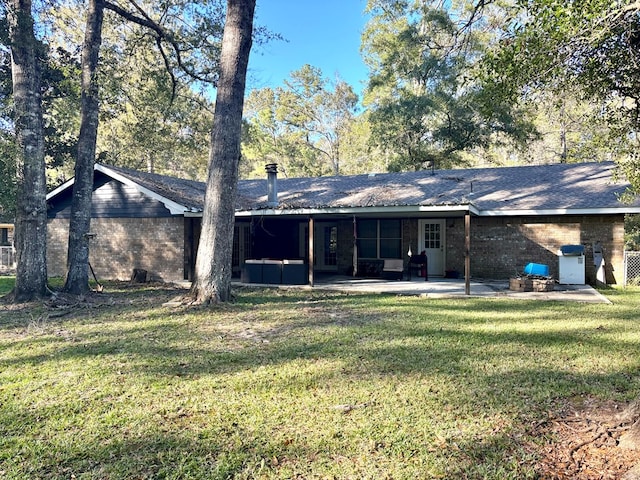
(499, 246)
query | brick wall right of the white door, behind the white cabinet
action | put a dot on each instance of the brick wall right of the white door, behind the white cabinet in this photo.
(502, 246)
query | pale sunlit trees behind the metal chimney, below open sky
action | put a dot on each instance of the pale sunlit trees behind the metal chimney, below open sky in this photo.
(302, 125)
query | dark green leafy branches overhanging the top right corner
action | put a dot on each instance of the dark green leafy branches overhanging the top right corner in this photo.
(584, 51)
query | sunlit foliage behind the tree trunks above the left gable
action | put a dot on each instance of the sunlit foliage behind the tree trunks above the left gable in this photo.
(155, 110)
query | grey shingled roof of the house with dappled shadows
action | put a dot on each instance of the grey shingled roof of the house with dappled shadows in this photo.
(555, 188)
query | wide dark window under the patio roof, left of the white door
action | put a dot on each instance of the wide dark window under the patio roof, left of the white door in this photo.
(379, 239)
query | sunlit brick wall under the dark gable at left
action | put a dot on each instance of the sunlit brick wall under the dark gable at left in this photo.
(122, 244)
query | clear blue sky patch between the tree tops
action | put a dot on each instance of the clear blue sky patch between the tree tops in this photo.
(322, 33)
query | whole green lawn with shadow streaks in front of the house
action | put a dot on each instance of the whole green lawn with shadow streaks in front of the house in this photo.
(299, 384)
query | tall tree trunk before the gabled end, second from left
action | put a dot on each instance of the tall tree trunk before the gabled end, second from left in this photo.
(77, 281)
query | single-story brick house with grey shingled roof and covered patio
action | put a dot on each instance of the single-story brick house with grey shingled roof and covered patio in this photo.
(504, 218)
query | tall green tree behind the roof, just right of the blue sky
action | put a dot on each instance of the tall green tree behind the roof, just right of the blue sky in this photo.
(426, 102)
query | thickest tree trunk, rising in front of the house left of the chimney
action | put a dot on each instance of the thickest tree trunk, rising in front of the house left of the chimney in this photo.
(213, 262)
